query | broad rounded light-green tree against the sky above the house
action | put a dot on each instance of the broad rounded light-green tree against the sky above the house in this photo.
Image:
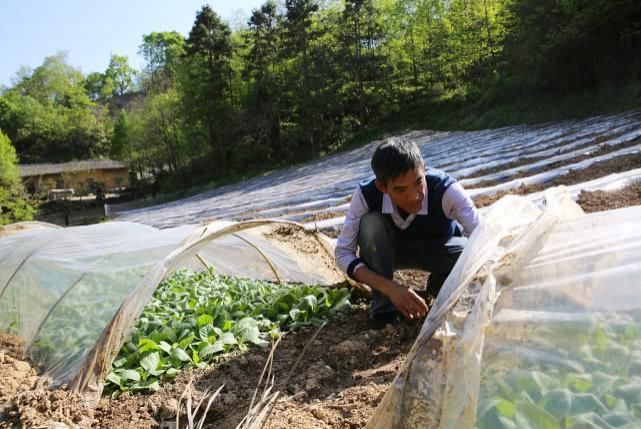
(48, 115)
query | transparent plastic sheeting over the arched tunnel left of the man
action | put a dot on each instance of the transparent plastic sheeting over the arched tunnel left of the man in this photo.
(73, 293)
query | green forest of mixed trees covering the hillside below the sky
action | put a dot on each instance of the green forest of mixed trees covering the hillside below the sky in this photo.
(302, 78)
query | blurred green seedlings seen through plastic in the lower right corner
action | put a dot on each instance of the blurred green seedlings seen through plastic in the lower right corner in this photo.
(565, 376)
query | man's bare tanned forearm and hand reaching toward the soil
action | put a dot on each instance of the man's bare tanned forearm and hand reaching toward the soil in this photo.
(404, 299)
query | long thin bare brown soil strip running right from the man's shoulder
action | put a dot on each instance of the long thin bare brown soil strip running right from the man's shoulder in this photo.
(615, 165)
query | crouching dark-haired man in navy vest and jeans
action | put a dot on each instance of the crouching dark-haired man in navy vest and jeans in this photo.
(407, 216)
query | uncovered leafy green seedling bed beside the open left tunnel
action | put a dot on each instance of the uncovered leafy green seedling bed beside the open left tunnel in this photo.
(194, 318)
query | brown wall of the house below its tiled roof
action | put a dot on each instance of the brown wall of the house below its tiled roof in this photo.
(78, 181)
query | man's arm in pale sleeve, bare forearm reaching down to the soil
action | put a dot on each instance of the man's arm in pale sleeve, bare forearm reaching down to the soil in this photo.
(404, 299)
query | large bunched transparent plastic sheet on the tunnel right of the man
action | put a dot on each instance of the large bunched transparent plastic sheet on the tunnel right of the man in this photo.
(539, 325)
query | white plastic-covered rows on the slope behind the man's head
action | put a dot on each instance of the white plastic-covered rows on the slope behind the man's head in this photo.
(324, 186)
